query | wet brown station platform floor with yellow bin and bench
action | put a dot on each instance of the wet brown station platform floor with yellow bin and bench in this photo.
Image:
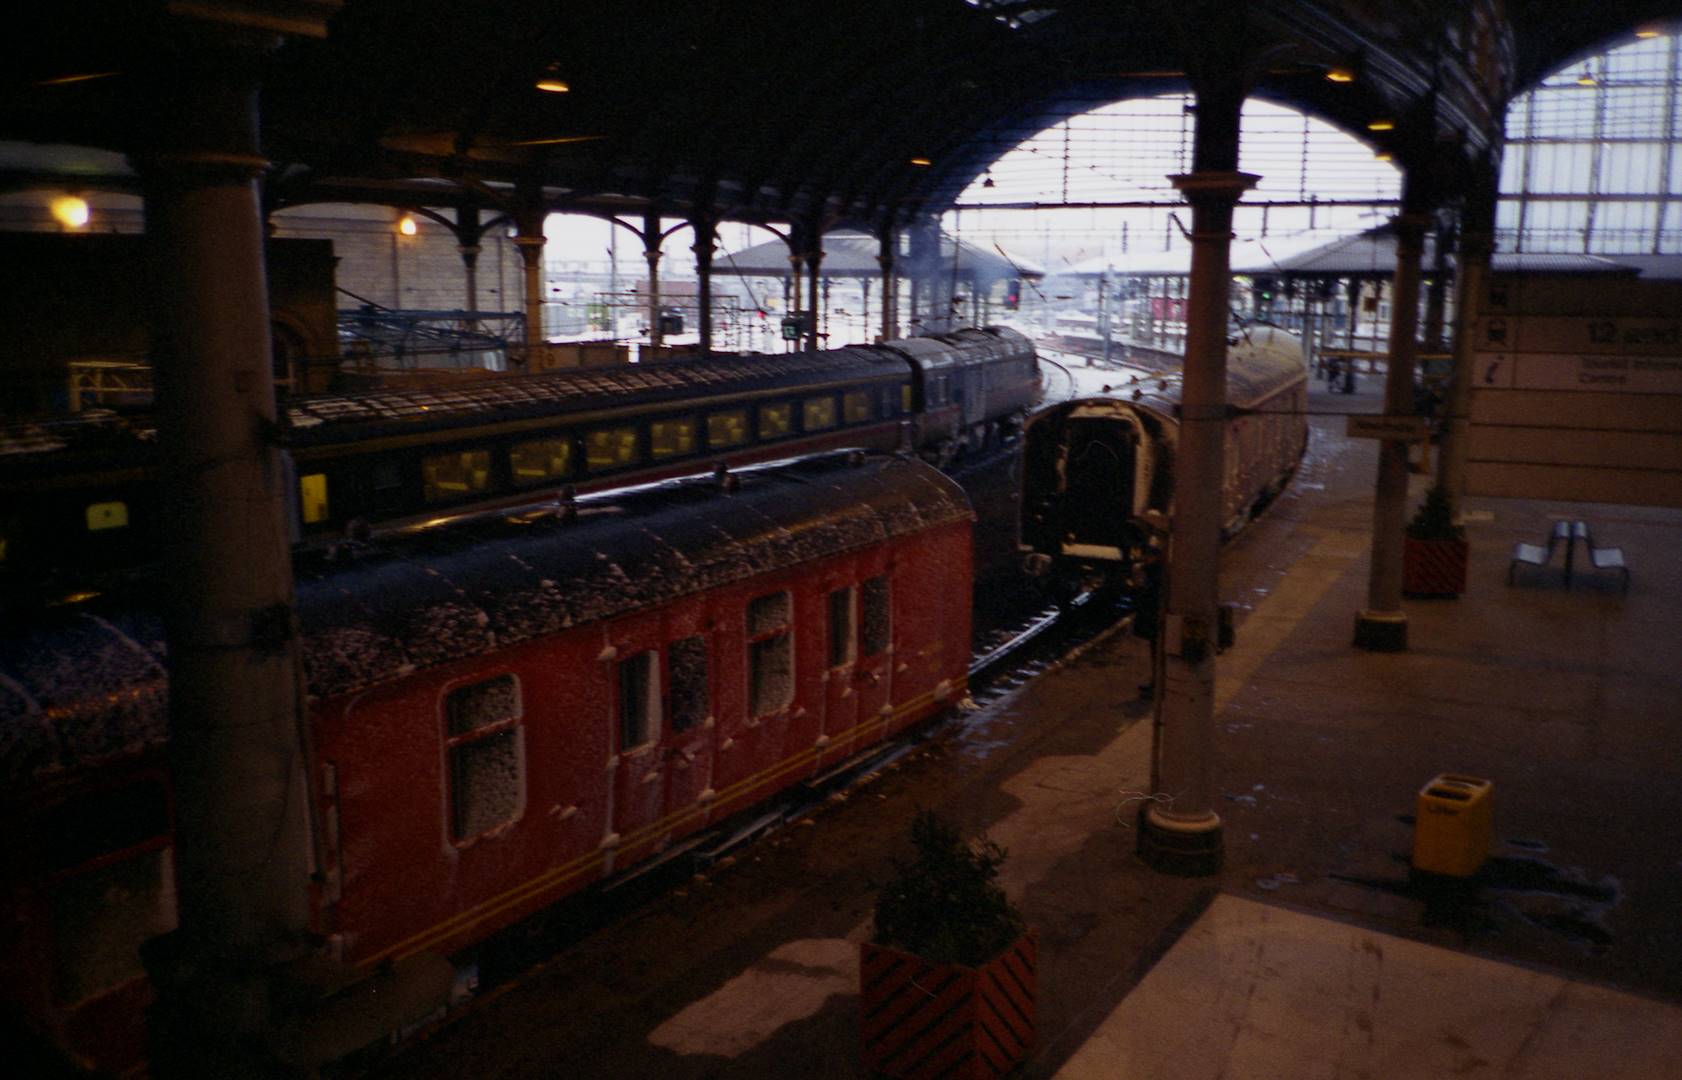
(1313, 955)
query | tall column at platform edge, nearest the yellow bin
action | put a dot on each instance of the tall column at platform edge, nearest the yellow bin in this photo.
(1180, 832)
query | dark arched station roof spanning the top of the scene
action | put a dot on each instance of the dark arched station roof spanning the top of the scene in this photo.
(867, 114)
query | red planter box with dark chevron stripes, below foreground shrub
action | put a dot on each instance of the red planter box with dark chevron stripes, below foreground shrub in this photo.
(923, 1020)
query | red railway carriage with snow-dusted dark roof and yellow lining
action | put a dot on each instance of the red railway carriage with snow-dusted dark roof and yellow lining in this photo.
(504, 711)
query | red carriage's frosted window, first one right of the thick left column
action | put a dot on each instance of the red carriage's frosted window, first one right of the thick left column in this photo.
(485, 756)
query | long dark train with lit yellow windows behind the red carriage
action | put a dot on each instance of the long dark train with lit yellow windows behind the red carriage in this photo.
(80, 495)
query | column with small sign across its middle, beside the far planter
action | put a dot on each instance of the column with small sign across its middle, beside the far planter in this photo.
(1383, 625)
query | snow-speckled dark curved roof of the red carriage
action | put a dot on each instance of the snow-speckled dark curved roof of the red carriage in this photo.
(85, 686)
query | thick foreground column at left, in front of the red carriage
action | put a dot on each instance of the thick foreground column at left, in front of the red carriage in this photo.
(238, 758)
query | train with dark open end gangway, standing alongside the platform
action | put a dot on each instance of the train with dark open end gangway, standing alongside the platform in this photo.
(1099, 462)
